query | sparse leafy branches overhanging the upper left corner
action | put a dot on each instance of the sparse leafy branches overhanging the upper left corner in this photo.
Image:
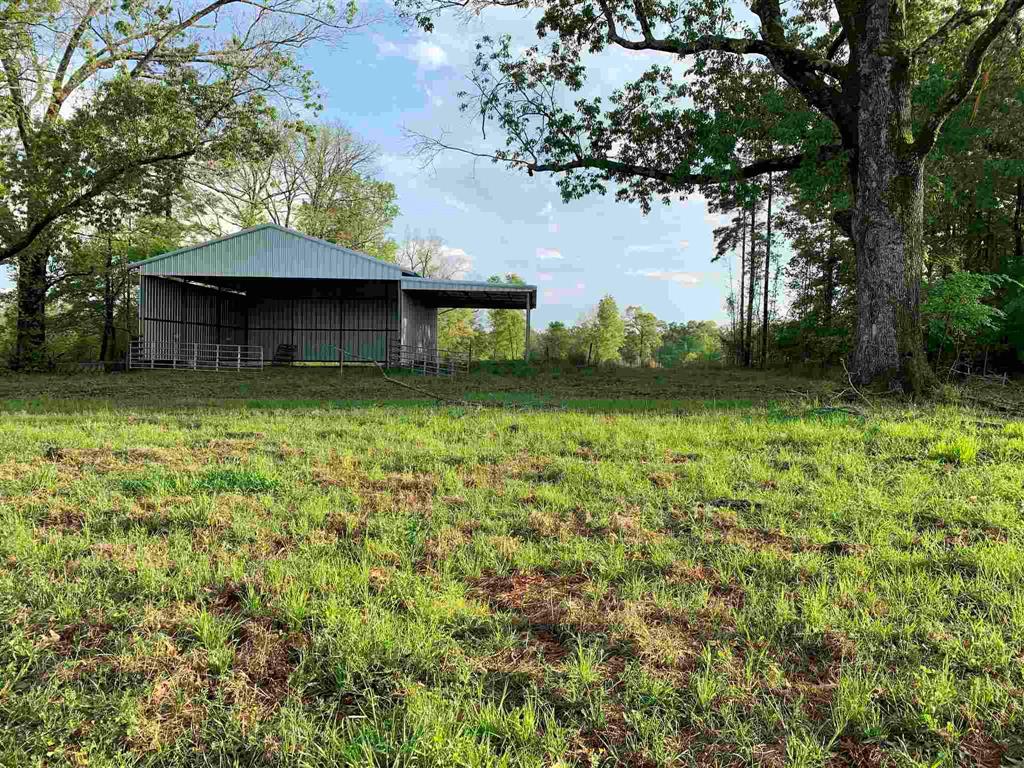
(97, 94)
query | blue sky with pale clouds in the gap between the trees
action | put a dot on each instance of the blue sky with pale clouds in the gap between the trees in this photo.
(393, 78)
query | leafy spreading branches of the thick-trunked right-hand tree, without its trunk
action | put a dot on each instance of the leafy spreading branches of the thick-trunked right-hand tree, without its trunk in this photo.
(657, 137)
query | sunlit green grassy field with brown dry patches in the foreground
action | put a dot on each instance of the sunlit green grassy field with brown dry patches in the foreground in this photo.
(290, 571)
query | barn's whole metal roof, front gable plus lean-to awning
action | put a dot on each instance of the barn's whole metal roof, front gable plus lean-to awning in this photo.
(271, 251)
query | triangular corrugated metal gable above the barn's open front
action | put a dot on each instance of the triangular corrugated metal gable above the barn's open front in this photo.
(271, 251)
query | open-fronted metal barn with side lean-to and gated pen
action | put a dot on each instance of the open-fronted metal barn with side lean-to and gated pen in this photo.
(269, 291)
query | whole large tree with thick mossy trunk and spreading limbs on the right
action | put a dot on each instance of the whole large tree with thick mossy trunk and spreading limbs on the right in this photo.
(876, 92)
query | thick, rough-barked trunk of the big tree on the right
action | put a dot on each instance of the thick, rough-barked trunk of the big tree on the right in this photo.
(888, 216)
